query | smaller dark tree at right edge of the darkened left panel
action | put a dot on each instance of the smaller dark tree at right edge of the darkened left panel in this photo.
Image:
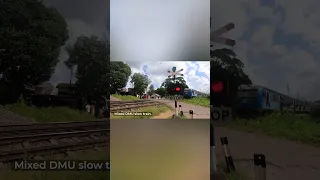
(91, 57)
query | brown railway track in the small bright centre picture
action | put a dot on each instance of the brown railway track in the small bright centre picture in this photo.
(118, 106)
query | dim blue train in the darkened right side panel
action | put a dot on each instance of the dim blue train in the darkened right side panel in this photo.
(259, 98)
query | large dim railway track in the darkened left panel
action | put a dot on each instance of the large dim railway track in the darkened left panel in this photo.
(33, 140)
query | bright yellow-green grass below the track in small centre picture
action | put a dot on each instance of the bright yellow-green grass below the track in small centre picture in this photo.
(154, 110)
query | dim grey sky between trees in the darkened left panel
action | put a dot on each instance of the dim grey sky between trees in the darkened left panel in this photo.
(83, 17)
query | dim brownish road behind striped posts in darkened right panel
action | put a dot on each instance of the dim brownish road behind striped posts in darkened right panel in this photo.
(285, 159)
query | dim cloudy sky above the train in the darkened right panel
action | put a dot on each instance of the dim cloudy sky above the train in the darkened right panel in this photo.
(278, 41)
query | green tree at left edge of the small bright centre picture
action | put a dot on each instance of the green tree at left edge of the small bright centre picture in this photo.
(119, 73)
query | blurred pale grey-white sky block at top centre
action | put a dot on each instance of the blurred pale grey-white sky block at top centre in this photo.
(146, 30)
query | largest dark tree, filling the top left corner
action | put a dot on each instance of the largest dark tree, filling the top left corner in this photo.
(31, 36)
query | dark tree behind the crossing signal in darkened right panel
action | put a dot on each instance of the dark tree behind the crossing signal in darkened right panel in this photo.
(225, 64)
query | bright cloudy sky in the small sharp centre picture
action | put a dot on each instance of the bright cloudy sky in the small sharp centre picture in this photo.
(196, 74)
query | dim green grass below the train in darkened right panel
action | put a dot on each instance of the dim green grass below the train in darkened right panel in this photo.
(299, 128)
